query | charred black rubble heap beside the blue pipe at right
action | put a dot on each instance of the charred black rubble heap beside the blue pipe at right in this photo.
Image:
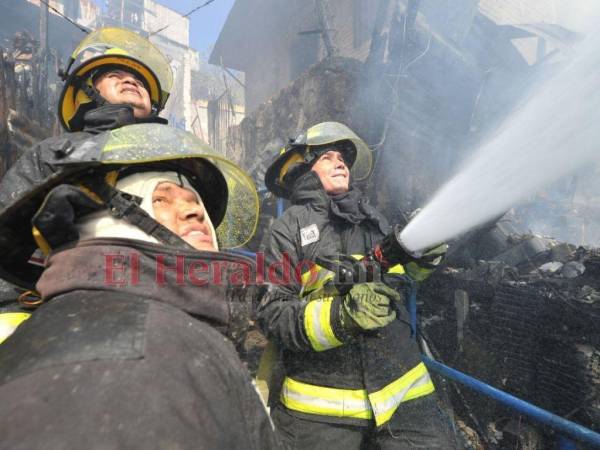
(525, 320)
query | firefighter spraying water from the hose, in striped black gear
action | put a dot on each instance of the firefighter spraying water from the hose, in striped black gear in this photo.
(353, 374)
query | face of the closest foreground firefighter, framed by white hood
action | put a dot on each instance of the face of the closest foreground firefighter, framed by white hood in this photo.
(179, 210)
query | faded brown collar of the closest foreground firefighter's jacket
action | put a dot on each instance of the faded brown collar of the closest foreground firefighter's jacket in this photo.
(199, 283)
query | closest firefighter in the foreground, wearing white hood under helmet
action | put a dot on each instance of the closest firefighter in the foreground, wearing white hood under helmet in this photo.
(127, 349)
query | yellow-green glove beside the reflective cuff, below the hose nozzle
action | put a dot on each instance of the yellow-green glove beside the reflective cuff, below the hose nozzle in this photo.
(368, 306)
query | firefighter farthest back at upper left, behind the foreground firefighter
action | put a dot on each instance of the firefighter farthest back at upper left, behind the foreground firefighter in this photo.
(113, 78)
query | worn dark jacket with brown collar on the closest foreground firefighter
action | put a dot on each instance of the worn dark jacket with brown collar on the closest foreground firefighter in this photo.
(125, 353)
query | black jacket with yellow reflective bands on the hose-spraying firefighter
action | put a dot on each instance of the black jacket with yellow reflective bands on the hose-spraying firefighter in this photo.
(332, 376)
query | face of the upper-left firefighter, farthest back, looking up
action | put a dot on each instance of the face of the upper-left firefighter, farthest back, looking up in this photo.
(121, 87)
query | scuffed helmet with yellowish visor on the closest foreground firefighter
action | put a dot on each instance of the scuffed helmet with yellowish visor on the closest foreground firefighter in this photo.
(228, 193)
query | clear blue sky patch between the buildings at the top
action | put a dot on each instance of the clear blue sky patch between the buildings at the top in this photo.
(205, 24)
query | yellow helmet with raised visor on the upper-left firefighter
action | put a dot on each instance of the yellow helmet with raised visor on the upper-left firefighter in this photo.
(111, 47)
